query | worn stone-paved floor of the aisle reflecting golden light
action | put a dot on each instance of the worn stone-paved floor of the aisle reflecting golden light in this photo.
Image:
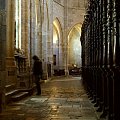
(63, 98)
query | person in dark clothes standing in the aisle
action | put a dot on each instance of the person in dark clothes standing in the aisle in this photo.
(37, 73)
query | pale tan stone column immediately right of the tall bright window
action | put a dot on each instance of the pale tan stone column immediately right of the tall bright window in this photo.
(24, 30)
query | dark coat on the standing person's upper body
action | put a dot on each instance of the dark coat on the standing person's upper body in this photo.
(37, 67)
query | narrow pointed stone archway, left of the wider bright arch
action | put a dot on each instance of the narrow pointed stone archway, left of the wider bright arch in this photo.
(57, 46)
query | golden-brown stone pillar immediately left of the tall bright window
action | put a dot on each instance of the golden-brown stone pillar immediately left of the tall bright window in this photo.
(10, 62)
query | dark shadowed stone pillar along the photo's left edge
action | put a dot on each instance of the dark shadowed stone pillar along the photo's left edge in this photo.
(2, 53)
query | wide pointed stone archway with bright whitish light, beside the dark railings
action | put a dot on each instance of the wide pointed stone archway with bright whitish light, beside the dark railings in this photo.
(74, 47)
